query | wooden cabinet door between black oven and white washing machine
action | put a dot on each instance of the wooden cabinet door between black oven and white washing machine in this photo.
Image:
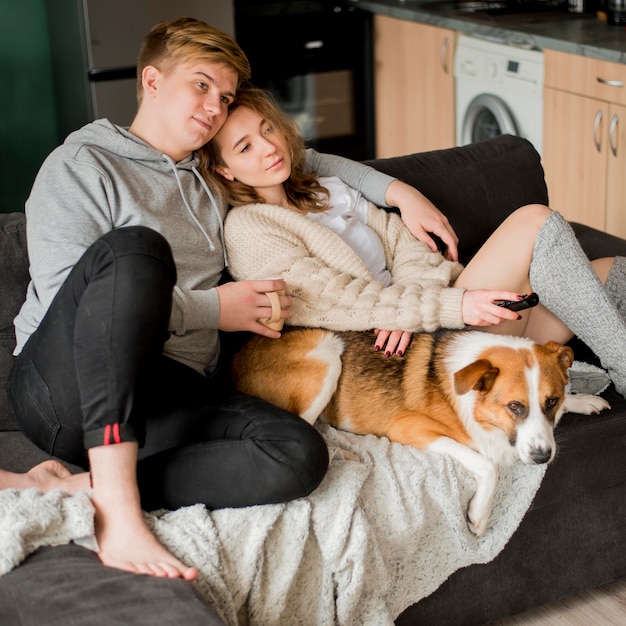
(414, 86)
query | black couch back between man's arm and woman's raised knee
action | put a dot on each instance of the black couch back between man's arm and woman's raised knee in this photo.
(475, 186)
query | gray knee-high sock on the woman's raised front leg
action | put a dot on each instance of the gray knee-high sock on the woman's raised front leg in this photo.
(567, 285)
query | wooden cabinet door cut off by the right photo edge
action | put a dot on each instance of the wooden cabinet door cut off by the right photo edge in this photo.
(616, 171)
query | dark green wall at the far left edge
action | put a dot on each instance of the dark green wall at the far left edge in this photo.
(28, 129)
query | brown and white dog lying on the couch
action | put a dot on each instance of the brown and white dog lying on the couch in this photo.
(482, 398)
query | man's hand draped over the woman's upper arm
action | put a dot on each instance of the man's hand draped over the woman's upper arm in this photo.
(422, 217)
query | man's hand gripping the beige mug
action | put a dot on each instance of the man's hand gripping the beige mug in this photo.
(242, 303)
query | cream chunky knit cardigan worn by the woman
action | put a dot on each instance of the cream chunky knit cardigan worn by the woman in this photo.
(330, 284)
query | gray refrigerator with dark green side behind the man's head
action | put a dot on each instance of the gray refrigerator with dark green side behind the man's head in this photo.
(94, 46)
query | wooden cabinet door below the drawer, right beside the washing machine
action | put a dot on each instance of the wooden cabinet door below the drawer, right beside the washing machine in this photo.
(575, 131)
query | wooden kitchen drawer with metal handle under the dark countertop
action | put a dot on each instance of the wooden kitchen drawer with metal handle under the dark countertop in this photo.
(594, 78)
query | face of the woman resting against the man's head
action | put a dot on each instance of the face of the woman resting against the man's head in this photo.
(256, 153)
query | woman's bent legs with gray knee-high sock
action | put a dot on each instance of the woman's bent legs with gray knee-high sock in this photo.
(536, 246)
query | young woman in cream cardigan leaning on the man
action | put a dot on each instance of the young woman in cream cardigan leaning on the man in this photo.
(351, 266)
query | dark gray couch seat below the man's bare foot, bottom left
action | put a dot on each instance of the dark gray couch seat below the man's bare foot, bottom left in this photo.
(68, 585)
